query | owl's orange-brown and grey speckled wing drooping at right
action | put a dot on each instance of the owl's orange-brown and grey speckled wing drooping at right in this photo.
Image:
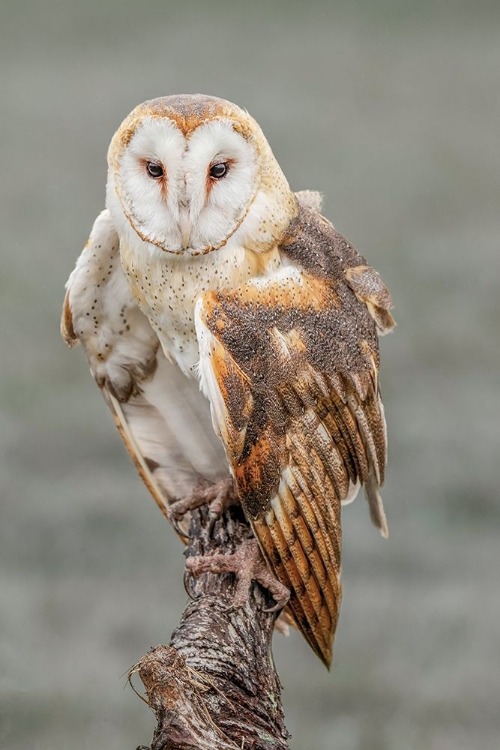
(290, 366)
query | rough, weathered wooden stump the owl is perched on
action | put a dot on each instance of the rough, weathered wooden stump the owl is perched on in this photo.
(215, 687)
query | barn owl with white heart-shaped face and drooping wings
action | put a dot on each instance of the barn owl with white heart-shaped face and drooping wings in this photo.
(233, 333)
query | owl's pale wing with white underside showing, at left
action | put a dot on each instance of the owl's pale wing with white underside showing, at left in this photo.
(162, 417)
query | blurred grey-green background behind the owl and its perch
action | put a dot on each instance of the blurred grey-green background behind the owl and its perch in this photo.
(392, 110)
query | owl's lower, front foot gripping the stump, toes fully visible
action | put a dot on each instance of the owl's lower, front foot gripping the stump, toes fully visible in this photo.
(248, 565)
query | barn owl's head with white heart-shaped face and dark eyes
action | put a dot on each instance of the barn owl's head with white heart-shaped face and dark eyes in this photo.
(189, 173)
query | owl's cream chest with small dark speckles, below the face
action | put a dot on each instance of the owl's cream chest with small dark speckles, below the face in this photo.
(167, 287)
